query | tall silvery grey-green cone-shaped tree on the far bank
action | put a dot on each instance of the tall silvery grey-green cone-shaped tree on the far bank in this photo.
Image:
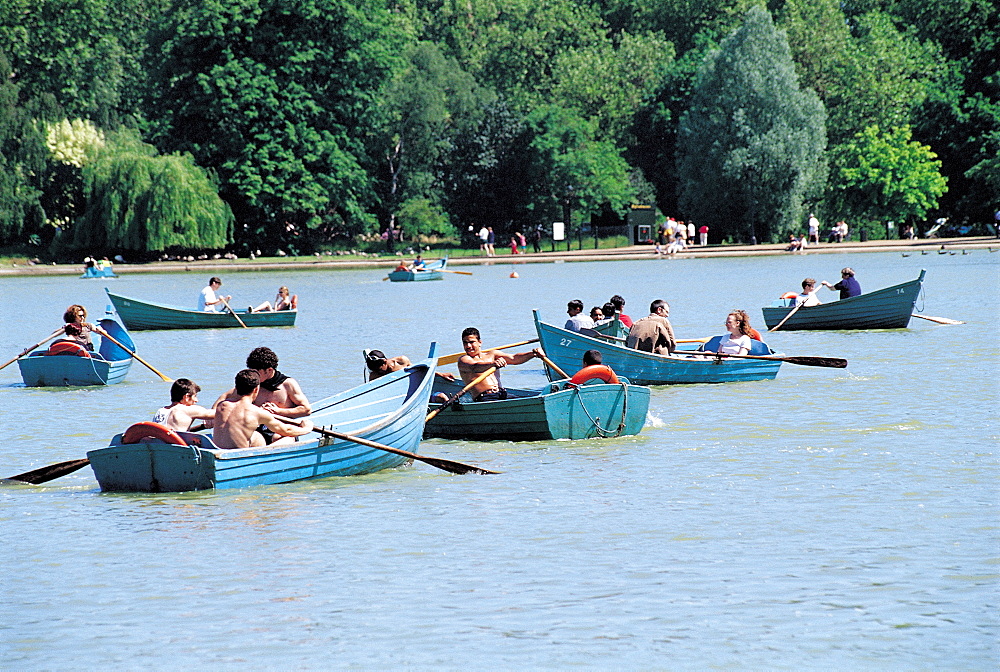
(751, 144)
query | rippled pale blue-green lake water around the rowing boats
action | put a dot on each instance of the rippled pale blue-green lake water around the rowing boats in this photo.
(830, 518)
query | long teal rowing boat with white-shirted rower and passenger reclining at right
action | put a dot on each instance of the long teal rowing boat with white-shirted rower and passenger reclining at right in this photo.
(137, 314)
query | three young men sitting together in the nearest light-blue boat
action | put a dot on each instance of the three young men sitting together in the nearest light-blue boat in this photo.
(264, 408)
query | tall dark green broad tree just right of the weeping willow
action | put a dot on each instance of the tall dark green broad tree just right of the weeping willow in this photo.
(278, 98)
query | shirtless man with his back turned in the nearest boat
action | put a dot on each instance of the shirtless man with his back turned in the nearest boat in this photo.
(237, 420)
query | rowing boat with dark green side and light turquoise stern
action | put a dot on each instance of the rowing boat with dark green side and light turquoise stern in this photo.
(556, 411)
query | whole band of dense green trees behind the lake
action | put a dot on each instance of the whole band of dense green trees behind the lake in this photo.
(315, 121)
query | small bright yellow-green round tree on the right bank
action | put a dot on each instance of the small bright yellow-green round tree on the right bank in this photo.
(886, 176)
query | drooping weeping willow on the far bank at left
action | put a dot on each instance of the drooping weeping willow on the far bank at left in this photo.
(137, 200)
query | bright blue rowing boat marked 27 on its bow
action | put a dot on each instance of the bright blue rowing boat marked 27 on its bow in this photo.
(565, 348)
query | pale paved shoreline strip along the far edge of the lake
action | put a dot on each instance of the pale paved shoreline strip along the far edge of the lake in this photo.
(632, 252)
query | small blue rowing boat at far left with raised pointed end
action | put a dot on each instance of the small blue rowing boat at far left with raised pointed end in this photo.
(76, 366)
